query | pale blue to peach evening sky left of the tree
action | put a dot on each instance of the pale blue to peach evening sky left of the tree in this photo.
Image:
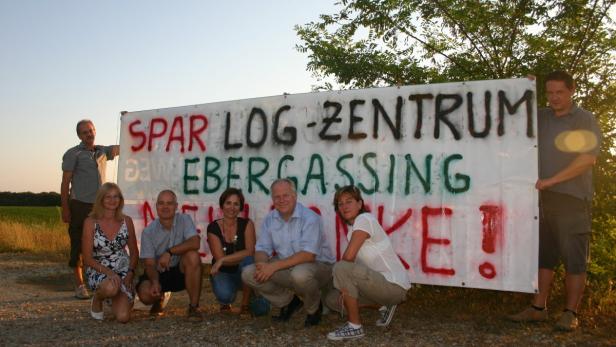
(65, 60)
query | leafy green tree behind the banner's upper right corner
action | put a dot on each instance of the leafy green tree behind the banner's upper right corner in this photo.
(370, 43)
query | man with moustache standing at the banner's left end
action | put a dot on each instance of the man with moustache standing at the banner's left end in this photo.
(83, 172)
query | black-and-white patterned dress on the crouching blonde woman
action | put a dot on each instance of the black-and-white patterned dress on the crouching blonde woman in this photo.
(111, 254)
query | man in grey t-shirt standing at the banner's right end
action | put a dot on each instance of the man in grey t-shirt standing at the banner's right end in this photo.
(569, 140)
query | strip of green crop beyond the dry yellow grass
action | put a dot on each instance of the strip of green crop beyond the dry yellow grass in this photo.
(47, 216)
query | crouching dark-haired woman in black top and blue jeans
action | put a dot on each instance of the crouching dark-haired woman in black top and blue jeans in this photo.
(232, 243)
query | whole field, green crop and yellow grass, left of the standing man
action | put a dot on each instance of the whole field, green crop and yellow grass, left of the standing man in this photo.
(33, 230)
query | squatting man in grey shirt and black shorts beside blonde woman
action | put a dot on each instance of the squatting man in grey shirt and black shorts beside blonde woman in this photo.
(170, 254)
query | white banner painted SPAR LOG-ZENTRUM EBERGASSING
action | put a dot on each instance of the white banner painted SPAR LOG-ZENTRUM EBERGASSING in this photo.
(447, 169)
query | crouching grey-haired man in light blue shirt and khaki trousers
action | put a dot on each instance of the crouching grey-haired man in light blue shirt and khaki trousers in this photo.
(292, 257)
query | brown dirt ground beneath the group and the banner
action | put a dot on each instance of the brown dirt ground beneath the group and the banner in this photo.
(37, 308)
